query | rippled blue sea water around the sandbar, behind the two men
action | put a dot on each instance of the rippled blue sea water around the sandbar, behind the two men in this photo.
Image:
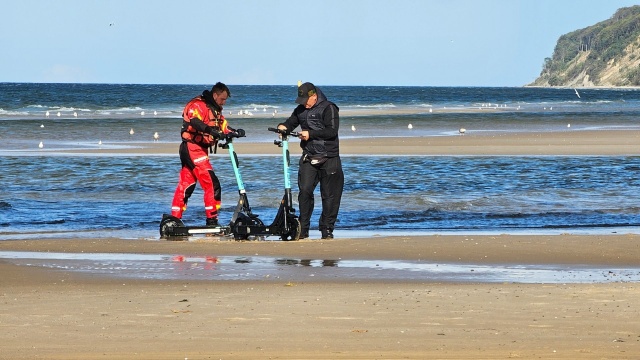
(44, 194)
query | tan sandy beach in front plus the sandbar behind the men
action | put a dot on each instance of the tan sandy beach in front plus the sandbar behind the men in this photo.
(60, 314)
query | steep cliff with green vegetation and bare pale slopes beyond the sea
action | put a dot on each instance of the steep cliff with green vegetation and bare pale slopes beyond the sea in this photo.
(605, 54)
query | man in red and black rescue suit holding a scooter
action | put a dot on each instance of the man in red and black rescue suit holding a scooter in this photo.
(203, 124)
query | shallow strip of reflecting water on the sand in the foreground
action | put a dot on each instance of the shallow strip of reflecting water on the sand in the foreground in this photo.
(165, 267)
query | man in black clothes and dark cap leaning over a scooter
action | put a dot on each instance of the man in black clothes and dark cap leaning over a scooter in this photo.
(320, 162)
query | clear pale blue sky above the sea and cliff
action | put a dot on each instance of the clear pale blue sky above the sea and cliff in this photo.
(343, 42)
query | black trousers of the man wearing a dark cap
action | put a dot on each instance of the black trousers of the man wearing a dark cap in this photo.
(331, 178)
